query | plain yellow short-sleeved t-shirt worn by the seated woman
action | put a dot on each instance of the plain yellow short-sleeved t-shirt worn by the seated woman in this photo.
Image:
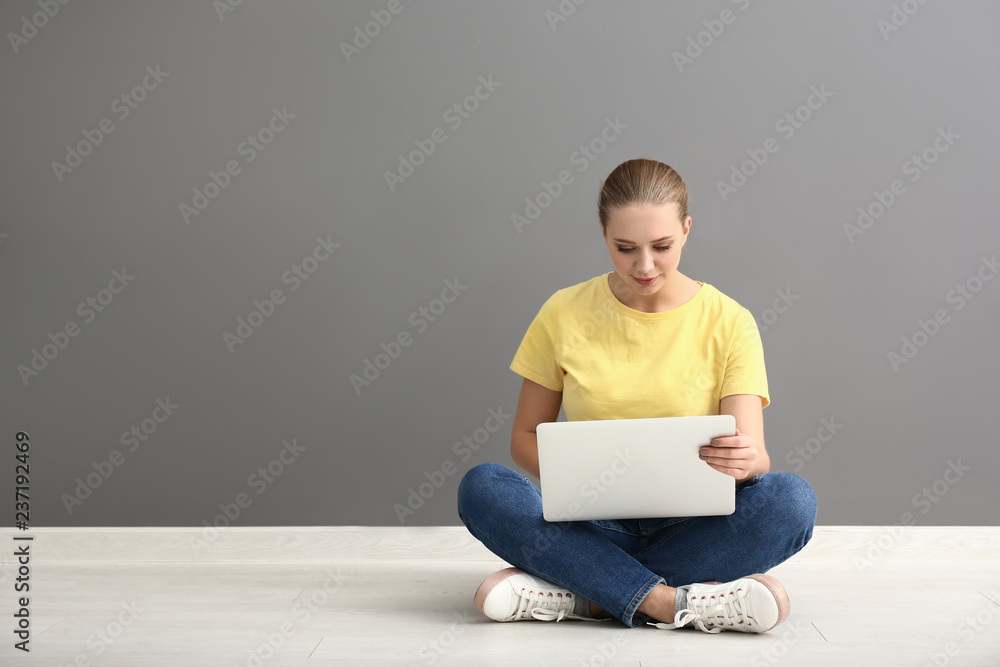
(614, 362)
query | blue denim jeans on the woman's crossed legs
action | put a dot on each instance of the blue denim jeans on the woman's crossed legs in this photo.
(616, 563)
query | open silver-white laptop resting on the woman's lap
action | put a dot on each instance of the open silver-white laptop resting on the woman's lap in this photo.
(632, 468)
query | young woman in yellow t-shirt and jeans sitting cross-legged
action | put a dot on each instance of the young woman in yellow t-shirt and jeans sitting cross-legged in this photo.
(644, 340)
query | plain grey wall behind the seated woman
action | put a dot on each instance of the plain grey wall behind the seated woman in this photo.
(854, 295)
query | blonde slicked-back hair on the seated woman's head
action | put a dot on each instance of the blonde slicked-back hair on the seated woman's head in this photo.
(641, 182)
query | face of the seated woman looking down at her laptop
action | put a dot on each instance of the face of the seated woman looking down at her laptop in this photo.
(646, 242)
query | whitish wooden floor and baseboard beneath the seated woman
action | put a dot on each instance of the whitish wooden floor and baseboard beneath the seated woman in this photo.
(403, 596)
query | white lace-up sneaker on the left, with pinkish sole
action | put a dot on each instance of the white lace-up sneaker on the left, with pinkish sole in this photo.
(514, 595)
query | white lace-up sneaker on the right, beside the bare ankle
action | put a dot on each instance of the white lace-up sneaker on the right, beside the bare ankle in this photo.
(752, 604)
